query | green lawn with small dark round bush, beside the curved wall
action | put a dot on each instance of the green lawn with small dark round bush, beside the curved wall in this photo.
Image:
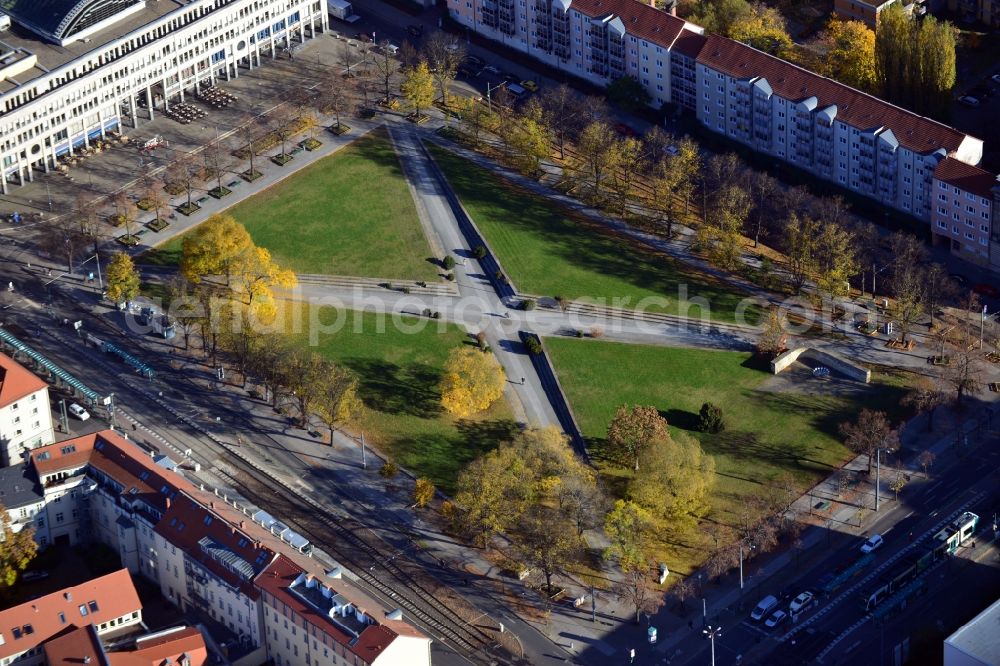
(768, 433)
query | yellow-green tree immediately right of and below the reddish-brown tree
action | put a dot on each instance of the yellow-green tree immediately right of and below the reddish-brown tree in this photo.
(674, 481)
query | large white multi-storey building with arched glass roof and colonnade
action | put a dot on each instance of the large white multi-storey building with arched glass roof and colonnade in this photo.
(92, 66)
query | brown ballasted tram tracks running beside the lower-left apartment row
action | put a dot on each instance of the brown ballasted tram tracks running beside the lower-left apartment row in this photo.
(356, 546)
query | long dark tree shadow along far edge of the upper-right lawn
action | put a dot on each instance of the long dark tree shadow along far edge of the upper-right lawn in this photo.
(584, 243)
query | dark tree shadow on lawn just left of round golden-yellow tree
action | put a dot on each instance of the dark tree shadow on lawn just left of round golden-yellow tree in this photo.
(388, 388)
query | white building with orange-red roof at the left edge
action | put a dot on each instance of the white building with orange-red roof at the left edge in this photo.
(25, 415)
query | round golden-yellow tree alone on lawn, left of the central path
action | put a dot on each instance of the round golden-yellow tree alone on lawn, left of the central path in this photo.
(472, 381)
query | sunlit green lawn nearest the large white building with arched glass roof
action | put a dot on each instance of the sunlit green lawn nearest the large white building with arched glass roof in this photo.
(348, 214)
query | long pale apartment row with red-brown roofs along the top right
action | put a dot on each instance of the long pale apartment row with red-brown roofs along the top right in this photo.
(808, 121)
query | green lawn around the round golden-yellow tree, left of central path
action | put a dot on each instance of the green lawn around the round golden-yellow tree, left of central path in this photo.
(399, 373)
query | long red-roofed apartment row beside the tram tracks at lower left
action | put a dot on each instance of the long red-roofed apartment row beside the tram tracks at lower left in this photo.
(206, 554)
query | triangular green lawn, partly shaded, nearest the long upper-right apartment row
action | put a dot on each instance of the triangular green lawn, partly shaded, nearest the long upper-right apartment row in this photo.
(546, 250)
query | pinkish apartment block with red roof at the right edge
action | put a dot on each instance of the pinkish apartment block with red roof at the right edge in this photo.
(965, 202)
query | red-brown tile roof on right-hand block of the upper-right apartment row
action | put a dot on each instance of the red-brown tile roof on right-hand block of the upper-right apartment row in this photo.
(855, 108)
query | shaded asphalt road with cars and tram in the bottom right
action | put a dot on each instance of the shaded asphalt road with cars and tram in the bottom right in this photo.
(832, 623)
